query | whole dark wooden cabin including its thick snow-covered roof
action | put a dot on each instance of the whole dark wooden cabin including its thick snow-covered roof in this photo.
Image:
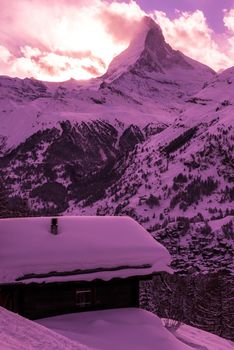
(51, 266)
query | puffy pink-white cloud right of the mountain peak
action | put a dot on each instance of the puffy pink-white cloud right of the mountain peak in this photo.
(190, 33)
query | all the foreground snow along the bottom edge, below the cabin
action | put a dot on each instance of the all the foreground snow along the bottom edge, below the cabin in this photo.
(125, 329)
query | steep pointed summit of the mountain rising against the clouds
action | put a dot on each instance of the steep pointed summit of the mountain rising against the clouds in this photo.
(148, 52)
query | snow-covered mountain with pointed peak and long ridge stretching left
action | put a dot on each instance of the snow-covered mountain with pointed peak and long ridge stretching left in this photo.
(148, 82)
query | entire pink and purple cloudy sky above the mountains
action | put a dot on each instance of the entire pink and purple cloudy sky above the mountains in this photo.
(57, 40)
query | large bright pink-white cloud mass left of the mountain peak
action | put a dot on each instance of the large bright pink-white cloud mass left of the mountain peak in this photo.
(60, 39)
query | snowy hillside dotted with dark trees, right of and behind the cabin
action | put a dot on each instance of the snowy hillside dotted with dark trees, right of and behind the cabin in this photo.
(177, 189)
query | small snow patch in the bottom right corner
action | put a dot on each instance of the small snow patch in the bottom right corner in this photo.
(202, 340)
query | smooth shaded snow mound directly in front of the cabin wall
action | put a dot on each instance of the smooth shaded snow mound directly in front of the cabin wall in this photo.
(118, 329)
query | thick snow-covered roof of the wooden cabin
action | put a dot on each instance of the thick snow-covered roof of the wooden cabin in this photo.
(85, 248)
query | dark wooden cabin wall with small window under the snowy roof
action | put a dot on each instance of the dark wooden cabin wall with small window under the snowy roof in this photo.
(48, 299)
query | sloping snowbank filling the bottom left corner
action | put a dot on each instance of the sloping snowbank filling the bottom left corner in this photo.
(18, 333)
